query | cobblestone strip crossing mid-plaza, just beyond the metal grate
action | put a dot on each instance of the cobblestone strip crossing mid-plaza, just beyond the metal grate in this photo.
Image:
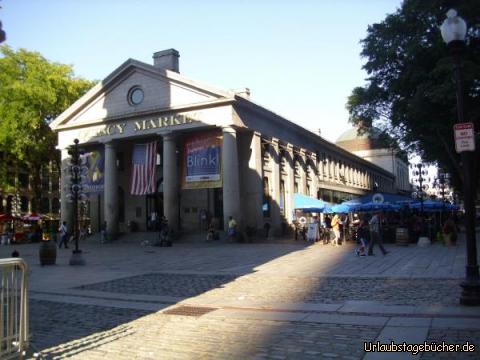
(265, 289)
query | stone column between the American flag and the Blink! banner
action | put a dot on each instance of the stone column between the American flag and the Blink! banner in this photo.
(170, 180)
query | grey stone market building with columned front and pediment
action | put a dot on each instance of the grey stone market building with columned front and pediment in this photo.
(160, 144)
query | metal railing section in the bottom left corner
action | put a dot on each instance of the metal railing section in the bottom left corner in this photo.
(13, 308)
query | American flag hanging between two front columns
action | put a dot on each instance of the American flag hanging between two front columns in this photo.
(144, 162)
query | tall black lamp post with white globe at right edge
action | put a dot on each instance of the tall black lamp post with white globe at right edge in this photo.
(454, 30)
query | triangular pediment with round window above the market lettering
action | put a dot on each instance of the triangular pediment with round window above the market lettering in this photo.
(162, 90)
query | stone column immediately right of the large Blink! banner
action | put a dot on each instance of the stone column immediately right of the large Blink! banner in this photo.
(231, 190)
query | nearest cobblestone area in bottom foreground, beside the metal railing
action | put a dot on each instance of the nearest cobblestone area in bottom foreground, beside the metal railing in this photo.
(159, 336)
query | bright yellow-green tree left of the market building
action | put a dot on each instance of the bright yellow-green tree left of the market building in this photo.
(33, 92)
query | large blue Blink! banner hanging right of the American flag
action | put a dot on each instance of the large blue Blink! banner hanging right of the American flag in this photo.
(202, 160)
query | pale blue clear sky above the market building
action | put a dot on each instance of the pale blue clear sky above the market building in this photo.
(299, 58)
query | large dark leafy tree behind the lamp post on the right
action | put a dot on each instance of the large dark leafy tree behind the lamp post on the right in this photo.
(410, 91)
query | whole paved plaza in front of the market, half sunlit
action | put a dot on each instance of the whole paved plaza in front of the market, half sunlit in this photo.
(222, 300)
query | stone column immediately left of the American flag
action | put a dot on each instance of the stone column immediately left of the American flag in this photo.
(110, 208)
